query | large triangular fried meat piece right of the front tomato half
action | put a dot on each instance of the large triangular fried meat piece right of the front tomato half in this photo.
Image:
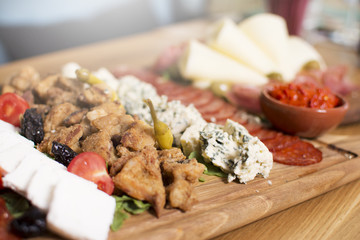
(141, 178)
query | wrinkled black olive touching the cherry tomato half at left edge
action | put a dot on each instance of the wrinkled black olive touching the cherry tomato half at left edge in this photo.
(32, 126)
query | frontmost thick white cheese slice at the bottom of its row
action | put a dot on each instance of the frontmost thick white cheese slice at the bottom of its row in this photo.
(91, 210)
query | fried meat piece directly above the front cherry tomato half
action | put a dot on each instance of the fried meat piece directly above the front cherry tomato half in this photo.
(100, 142)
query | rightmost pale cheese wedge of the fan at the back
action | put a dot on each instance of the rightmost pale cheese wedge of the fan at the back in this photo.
(300, 52)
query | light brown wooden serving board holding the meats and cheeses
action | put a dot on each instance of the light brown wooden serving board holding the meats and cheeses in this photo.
(222, 206)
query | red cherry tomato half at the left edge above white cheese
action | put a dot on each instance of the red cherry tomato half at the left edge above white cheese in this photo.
(12, 107)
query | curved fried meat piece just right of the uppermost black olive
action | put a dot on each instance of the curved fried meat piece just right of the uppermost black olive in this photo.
(57, 115)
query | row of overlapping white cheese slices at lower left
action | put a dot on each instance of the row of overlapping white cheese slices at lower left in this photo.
(75, 208)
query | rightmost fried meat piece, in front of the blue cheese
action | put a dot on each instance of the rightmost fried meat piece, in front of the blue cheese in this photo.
(181, 175)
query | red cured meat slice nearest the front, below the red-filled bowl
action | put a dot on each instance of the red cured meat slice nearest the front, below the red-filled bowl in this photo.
(300, 154)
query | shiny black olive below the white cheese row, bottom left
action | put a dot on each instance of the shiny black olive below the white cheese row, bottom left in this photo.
(31, 224)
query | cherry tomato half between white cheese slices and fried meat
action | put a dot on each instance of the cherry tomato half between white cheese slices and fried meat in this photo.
(91, 166)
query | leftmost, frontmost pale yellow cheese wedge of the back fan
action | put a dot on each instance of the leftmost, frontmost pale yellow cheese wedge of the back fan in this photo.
(202, 62)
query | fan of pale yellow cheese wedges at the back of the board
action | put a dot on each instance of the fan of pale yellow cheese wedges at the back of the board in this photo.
(246, 53)
